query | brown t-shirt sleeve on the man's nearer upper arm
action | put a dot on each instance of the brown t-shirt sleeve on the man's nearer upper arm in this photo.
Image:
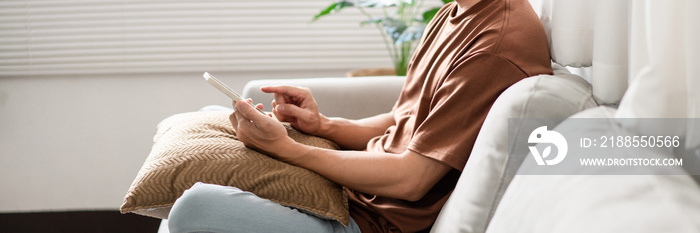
(460, 105)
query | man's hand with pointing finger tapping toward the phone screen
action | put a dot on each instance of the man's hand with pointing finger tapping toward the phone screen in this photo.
(297, 106)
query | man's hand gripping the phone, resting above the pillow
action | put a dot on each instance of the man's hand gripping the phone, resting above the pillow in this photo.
(258, 131)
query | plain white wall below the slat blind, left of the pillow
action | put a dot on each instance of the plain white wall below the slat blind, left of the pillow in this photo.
(77, 142)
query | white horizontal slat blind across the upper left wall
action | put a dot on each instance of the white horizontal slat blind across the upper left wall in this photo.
(112, 36)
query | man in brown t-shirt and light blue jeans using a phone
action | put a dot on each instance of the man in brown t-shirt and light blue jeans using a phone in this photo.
(399, 167)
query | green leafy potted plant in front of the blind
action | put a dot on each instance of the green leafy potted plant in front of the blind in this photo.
(401, 24)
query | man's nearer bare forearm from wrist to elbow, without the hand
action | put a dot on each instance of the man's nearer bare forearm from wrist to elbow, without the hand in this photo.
(406, 176)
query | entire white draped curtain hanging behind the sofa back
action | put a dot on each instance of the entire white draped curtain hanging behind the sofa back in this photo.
(644, 55)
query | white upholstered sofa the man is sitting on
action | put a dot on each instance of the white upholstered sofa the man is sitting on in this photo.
(485, 199)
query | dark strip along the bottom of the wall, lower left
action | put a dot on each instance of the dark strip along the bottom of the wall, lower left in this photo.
(77, 221)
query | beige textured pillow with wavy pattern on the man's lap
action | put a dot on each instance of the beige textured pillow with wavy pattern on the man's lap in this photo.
(202, 147)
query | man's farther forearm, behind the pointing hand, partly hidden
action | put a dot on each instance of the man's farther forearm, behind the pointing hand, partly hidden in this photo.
(354, 134)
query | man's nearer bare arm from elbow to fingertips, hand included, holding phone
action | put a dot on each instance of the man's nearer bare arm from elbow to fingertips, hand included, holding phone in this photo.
(407, 176)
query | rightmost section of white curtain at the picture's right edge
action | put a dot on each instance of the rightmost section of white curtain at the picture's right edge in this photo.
(664, 60)
